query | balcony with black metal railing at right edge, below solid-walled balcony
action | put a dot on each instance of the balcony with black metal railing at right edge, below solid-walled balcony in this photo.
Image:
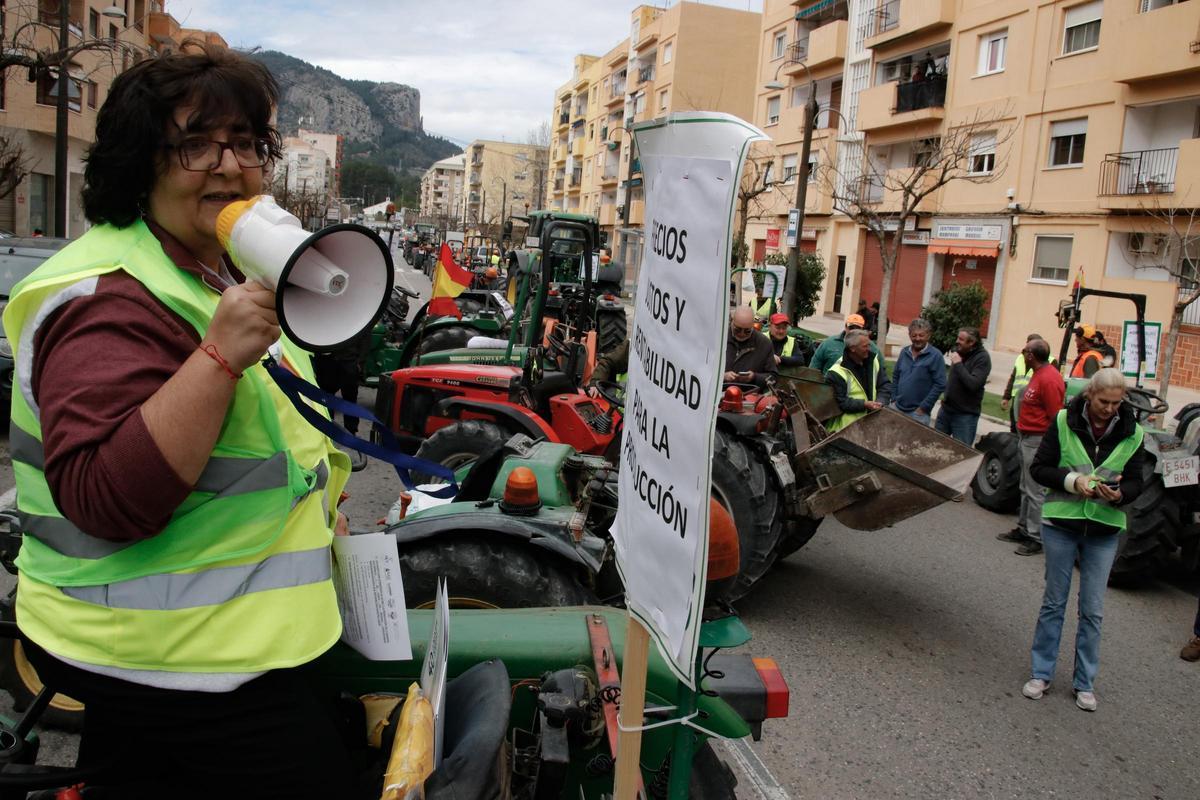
(1167, 178)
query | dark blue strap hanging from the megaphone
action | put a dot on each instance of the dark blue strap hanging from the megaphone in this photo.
(389, 452)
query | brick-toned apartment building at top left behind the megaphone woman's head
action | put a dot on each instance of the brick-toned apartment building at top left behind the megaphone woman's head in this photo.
(104, 40)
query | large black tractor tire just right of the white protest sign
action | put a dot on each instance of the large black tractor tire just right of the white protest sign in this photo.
(742, 485)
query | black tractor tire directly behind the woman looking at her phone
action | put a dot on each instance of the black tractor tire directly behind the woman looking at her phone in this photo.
(1153, 528)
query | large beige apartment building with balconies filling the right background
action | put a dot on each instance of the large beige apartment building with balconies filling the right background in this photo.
(1093, 116)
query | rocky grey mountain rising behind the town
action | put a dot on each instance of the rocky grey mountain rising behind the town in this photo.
(381, 122)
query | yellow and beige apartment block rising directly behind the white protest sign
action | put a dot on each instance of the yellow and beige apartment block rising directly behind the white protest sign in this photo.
(691, 57)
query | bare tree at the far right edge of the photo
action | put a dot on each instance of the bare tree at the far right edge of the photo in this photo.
(1175, 233)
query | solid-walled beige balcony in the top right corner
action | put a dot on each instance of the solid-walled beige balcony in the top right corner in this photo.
(1156, 45)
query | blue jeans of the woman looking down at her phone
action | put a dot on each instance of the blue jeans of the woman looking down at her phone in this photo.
(1096, 556)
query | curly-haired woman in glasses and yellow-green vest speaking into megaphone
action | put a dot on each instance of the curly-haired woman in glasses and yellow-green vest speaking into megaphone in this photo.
(176, 568)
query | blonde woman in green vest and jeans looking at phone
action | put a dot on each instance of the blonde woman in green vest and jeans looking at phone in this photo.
(1091, 461)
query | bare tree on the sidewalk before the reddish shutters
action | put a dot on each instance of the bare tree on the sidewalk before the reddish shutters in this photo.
(881, 199)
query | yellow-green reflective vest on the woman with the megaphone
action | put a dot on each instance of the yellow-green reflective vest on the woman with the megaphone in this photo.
(242, 561)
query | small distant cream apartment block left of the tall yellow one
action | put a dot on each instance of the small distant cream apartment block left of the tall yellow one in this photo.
(501, 179)
